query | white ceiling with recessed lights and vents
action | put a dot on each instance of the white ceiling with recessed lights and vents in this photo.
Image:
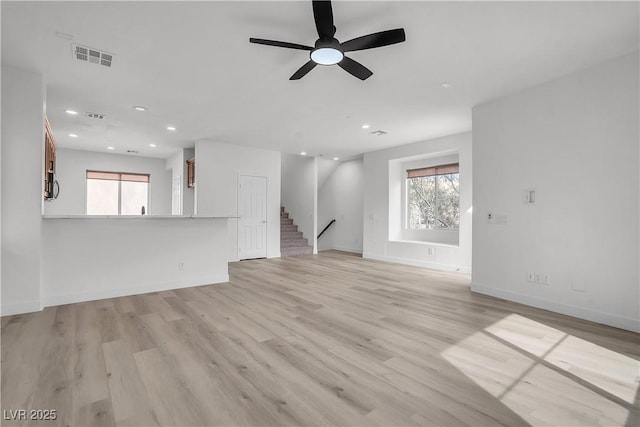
(192, 66)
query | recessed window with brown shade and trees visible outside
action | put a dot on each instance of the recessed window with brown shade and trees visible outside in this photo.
(433, 197)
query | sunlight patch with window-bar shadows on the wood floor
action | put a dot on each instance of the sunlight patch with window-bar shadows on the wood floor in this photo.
(547, 376)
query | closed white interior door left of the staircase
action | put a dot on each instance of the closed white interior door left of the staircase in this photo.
(252, 212)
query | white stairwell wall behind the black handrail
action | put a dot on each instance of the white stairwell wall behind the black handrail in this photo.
(341, 198)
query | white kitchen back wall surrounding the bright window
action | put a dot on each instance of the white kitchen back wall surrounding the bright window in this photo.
(71, 168)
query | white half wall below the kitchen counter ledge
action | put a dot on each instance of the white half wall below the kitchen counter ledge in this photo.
(94, 258)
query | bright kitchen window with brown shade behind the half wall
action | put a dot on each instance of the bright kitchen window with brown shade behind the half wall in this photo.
(115, 193)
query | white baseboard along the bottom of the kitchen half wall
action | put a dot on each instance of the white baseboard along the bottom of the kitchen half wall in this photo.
(54, 300)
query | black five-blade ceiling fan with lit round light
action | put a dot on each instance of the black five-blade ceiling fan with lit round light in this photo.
(329, 51)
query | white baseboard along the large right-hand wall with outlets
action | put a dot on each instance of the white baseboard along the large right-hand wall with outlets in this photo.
(609, 319)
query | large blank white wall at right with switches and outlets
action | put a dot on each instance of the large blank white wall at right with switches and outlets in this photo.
(575, 141)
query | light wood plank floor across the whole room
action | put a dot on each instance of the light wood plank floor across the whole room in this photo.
(318, 340)
